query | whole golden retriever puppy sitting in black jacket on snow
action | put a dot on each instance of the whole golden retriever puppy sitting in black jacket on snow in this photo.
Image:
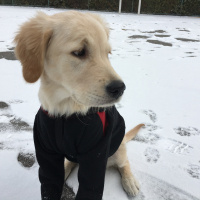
(68, 52)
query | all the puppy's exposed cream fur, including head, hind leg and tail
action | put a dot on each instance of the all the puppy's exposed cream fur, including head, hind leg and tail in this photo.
(47, 47)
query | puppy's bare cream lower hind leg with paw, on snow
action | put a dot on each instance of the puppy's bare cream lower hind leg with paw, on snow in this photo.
(129, 183)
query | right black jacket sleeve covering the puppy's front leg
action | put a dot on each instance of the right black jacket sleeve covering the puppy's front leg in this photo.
(92, 158)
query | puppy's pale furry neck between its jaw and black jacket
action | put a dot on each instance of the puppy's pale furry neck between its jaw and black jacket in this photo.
(55, 99)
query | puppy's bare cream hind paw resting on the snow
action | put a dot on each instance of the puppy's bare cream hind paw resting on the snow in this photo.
(131, 186)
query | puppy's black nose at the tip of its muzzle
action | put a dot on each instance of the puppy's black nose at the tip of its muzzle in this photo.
(115, 89)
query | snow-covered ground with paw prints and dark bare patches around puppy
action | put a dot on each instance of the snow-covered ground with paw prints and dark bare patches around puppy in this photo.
(158, 57)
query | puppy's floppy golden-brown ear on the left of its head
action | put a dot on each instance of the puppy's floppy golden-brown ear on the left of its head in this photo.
(31, 45)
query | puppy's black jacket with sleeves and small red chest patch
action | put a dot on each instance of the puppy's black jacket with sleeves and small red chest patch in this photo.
(80, 139)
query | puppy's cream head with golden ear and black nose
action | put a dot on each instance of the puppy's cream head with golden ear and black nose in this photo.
(70, 50)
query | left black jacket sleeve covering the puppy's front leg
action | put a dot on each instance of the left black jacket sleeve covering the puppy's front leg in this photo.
(51, 170)
